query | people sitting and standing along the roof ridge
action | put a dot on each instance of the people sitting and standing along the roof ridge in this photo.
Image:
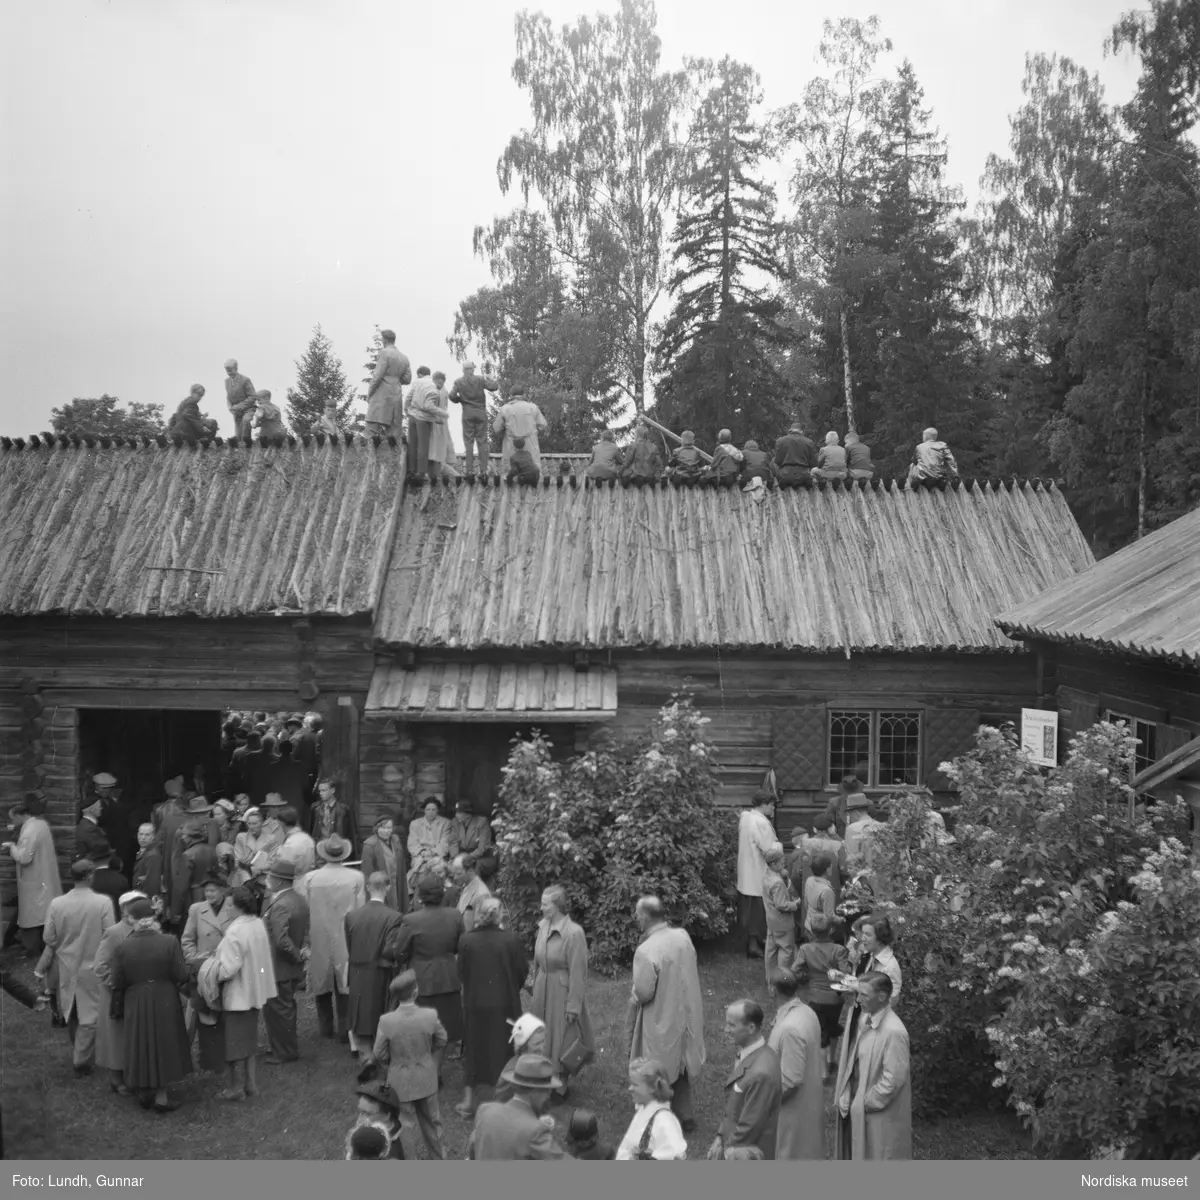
(419, 411)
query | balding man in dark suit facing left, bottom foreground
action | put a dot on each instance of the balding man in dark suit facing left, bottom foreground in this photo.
(753, 1089)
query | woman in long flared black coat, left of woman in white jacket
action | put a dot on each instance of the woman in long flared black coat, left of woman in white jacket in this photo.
(148, 974)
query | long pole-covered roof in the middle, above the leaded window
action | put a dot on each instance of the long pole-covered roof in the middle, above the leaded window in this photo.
(827, 569)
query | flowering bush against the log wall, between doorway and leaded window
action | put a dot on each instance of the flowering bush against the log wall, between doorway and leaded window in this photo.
(613, 827)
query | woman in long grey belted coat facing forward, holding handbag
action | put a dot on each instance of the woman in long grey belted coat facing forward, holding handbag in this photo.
(561, 981)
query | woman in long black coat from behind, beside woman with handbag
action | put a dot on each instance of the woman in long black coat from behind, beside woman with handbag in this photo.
(493, 967)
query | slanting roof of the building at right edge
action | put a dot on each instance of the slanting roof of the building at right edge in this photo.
(1143, 601)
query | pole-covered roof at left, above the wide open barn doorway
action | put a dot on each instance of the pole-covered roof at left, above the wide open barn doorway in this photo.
(221, 530)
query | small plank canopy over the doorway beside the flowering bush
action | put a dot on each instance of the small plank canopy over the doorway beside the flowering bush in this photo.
(520, 693)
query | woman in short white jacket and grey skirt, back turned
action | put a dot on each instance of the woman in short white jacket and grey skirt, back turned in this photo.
(245, 969)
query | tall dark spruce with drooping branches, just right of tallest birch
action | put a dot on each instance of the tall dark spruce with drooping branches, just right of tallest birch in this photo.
(713, 349)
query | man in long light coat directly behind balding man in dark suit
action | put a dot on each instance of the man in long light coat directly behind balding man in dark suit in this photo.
(796, 1040)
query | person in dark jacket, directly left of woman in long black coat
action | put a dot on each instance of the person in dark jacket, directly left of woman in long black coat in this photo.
(428, 941)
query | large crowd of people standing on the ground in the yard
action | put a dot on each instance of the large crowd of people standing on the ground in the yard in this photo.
(236, 908)
